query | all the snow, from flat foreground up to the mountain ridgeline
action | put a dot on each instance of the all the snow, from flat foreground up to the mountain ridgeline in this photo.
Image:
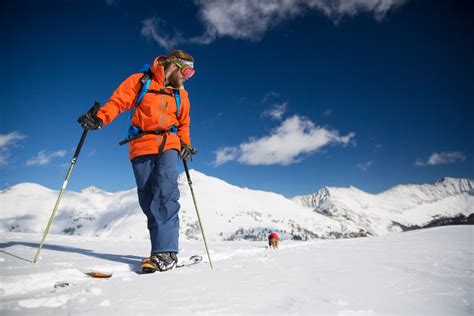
(426, 271)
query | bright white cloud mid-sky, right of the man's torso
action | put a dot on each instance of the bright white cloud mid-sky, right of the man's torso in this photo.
(295, 137)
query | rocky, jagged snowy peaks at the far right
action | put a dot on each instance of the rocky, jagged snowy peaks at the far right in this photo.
(401, 207)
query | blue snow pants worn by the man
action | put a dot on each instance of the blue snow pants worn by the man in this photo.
(157, 185)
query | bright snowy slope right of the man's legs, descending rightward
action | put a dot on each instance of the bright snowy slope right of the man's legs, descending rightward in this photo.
(233, 212)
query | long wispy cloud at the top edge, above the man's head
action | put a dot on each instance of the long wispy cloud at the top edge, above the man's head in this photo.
(251, 19)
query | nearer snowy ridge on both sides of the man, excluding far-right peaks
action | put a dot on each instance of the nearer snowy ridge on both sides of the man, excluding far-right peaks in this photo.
(228, 212)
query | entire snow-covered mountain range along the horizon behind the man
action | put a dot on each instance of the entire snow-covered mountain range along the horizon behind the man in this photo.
(230, 212)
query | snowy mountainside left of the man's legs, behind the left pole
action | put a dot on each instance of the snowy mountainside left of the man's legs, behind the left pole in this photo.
(92, 212)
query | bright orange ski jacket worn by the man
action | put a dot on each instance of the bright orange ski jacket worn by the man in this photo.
(155, 112)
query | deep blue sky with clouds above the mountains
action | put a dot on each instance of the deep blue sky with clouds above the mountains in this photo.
(287, 97)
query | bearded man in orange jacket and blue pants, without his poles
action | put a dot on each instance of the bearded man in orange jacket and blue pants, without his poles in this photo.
(162, 138)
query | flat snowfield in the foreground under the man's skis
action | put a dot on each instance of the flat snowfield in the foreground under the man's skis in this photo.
(426, 272)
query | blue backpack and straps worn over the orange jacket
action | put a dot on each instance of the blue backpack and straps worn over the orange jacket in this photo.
(134, 132)
